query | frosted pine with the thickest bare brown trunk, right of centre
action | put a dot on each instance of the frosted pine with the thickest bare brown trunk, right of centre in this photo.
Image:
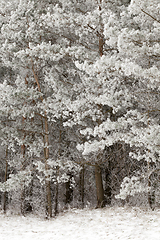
(101, 94)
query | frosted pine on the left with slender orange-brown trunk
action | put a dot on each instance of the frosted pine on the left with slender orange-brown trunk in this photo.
(33, 48)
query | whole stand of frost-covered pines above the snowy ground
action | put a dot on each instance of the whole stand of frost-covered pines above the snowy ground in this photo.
(79, 94)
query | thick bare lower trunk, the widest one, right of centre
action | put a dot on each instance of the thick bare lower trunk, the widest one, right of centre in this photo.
(99, 187)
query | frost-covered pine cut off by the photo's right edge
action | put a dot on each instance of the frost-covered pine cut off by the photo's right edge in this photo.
(139, 44)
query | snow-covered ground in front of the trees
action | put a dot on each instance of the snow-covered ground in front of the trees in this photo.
(96, 224)
